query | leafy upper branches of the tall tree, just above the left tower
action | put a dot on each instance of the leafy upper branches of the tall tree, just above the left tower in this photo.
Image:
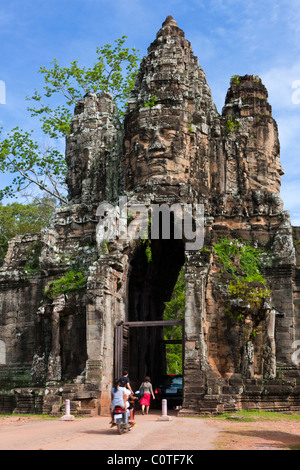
(114, 72)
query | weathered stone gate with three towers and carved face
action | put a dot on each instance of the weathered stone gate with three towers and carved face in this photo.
(173, 148)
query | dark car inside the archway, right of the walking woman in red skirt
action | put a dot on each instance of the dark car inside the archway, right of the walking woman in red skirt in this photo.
(170, 389)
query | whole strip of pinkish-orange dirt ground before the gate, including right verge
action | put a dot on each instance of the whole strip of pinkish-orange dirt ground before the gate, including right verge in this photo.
(180, 434)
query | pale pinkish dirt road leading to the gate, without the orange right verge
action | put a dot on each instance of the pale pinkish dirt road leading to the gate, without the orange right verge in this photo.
(96, 434)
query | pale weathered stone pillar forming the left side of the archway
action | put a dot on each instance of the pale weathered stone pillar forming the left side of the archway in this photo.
(105, 310)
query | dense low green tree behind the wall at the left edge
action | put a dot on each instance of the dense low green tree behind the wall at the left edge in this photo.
(20, 219)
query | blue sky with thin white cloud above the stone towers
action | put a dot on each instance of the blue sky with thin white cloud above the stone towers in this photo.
(230, 37)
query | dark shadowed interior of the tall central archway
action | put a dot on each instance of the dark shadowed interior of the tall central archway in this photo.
(151, 284)
